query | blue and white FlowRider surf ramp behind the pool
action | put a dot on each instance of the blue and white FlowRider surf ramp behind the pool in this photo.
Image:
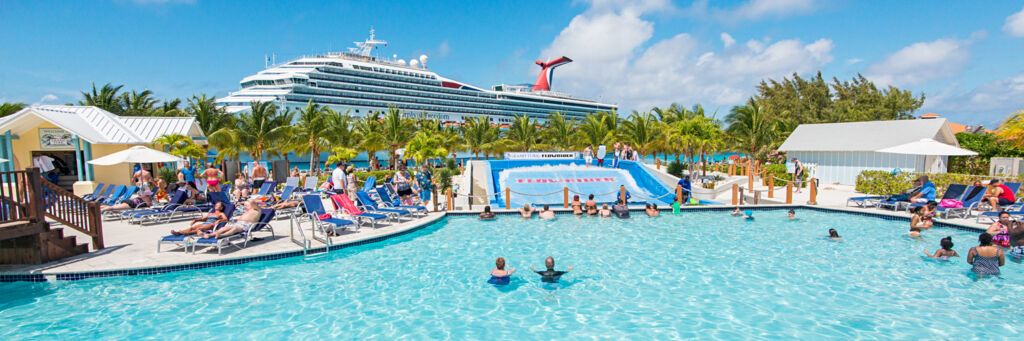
(541, 182)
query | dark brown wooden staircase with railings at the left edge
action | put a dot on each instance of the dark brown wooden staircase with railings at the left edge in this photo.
(26, 238)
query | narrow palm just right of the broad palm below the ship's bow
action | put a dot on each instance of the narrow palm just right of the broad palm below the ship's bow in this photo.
(311, 134)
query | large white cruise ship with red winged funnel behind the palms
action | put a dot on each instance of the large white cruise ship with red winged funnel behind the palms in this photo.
(358, 82)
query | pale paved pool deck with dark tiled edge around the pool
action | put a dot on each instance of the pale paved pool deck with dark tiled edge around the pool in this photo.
(132, 249)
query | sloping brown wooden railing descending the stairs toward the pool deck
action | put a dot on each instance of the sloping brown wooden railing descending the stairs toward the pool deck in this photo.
(74, 212)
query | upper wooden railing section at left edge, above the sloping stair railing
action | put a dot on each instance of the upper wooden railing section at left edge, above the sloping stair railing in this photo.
(17, 195)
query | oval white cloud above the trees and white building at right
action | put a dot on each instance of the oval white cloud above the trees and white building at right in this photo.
(921, 63)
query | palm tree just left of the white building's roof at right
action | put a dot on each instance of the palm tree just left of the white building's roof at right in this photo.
(750, 130)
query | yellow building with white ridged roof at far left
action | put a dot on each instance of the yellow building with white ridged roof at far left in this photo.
(71, 136)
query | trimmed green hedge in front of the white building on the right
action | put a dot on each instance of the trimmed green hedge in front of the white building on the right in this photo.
(884, 183)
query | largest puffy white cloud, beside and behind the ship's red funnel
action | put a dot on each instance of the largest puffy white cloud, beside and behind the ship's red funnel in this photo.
(613, 65)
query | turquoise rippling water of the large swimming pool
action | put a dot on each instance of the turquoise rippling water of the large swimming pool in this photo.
(703, 275)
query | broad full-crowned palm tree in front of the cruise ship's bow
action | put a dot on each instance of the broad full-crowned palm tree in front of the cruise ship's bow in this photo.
(258, 131)
